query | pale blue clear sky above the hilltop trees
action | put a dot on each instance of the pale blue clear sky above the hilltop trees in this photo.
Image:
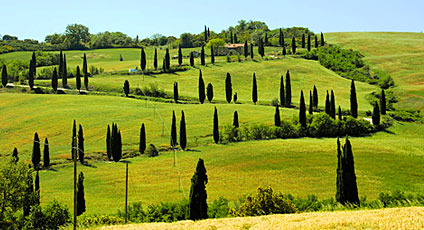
(36, 19)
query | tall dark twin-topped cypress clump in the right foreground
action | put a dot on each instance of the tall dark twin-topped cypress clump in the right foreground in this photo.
(347, 189)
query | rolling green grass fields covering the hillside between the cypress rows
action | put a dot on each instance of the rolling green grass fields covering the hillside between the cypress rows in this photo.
(385, 161)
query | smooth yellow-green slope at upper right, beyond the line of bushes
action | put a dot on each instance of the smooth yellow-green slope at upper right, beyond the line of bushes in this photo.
(399, 54)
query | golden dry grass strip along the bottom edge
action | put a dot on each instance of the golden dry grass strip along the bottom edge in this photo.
(393, 218)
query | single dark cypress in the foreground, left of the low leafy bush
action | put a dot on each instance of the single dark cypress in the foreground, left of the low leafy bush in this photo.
(198, 207)
